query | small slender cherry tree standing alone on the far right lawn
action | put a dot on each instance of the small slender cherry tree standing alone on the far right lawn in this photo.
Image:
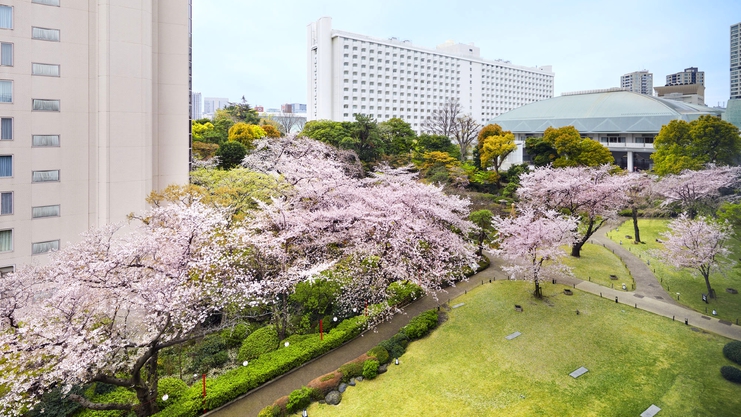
(697, 244)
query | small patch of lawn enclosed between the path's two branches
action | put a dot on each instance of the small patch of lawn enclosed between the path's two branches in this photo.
(596, 264)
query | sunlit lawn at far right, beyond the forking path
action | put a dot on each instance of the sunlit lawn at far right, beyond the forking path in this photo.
(689, 284)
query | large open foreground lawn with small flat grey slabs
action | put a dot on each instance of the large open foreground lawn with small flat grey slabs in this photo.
(467, 367)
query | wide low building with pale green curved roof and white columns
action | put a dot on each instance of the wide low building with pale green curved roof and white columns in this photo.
(624, 121)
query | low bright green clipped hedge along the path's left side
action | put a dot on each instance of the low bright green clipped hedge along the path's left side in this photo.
(236, 382)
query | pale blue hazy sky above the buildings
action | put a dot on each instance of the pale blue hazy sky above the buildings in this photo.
(257, 49)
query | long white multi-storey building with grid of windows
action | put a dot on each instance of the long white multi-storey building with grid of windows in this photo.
(384, 78)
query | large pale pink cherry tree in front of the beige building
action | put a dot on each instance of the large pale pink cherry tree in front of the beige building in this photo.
(102, 309)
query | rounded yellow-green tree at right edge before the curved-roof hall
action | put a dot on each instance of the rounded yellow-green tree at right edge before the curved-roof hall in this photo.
(681, 145)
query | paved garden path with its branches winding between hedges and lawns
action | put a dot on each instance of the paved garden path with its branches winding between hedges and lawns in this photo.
(648, 295)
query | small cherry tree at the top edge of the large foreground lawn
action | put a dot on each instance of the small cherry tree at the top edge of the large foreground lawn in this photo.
(531, 242)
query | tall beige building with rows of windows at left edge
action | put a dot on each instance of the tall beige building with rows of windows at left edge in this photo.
(94, 113)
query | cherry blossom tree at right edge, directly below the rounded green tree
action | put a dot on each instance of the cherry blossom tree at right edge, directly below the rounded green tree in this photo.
(692, 190)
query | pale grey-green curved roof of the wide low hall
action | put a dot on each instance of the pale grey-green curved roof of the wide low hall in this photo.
(601, 112)
